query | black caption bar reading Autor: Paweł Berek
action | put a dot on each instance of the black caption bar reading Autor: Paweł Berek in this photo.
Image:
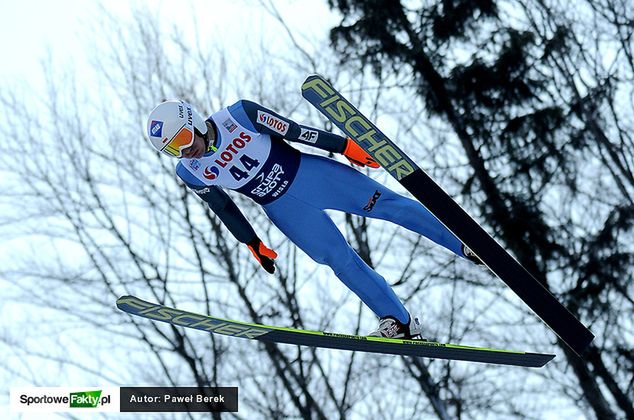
(179, 399)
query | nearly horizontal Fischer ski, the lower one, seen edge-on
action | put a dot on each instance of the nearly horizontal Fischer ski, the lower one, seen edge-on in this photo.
(264, 333)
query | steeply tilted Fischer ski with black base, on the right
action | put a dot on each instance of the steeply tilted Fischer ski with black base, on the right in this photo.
(348, 119)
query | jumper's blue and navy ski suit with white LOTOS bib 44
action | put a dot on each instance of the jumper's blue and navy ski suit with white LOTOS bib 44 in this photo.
(250, 156)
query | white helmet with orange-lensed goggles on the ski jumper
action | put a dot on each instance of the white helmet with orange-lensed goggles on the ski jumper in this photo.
(171, 126)
